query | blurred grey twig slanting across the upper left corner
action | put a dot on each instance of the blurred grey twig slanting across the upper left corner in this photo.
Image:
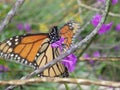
(11, 14)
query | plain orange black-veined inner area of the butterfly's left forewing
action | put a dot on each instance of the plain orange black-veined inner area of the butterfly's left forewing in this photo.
(29, 46)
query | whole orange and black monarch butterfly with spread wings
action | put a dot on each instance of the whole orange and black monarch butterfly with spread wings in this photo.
(35, 49)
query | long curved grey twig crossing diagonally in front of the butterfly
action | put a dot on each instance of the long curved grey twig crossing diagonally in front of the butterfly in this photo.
(71, 50)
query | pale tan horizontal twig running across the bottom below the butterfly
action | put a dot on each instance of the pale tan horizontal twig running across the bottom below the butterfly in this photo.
(62, 80)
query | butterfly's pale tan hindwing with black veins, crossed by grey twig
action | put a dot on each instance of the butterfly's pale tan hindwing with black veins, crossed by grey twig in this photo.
(54, 71)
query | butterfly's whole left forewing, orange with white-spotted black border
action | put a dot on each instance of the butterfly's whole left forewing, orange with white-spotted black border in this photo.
(23, 48)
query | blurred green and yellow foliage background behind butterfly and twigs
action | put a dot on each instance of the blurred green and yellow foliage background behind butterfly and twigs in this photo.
(41, 15)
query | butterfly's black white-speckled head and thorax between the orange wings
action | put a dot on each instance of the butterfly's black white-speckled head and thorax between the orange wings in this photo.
(53, 35)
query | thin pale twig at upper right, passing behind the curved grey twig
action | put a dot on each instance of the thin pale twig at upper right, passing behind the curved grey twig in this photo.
(98, 10)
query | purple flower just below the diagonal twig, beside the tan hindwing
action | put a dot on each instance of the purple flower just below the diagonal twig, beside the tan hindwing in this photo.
(70, 62)
